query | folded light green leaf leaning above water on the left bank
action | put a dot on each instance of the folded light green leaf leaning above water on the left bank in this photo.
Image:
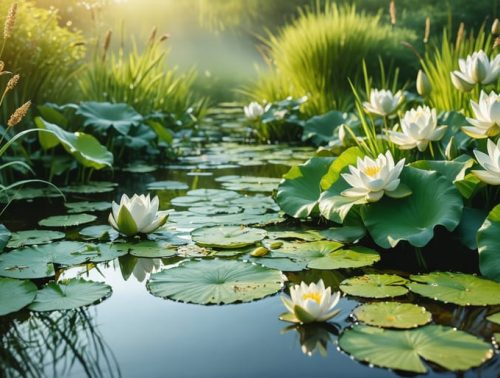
(83, 147)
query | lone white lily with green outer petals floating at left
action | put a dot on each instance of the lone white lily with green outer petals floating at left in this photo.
(137, 215)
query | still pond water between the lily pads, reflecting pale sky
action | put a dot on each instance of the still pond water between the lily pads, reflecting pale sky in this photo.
(135, 334)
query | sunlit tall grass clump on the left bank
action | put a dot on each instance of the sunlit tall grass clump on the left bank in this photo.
(139, 78)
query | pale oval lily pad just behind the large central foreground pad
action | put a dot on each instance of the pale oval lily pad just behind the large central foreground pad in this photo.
(227, 236)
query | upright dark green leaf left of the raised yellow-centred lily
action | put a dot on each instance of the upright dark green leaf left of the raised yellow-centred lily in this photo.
(299, 192)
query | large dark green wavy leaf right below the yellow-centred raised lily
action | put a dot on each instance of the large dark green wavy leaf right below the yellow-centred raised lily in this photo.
(434, 202)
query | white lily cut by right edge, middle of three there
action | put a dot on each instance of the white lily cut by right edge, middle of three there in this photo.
(486, 122)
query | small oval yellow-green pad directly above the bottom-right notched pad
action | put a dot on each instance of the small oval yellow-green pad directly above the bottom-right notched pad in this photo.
(392, 315)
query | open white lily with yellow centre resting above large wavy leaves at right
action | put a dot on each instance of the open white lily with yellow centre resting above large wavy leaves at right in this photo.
(371, 179)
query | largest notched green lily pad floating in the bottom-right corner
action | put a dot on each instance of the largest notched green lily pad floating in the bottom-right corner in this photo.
(403, 350)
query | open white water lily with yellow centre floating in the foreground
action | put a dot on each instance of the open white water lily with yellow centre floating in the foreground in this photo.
(310, 303)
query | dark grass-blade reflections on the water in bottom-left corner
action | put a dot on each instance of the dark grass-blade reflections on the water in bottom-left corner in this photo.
(55, 344)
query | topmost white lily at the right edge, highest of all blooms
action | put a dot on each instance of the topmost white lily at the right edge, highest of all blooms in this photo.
(476, 68)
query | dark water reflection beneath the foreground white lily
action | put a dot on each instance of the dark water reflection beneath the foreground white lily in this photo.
(314, 337)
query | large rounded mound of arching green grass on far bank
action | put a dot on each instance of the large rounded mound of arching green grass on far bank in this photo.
(318, 53)
